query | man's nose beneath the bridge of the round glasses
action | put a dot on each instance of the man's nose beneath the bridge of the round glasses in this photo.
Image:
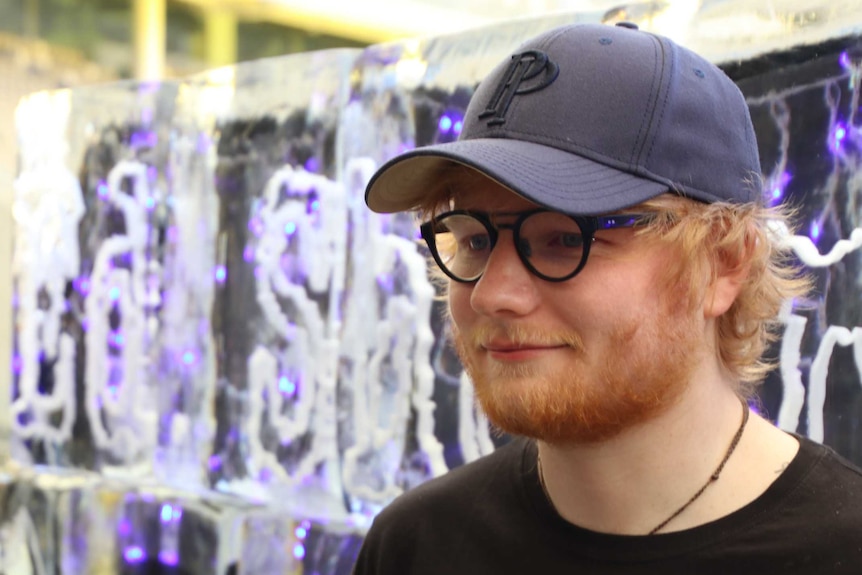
(506, 287)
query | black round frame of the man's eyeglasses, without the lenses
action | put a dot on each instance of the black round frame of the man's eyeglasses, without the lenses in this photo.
(588, 225)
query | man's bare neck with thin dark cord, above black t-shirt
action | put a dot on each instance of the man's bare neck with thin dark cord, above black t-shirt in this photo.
(637, 480)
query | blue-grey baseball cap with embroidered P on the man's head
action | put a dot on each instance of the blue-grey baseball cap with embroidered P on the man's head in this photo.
(591, 118)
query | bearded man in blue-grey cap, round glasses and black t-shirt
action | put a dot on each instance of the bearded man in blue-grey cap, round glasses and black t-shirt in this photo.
(612, 280)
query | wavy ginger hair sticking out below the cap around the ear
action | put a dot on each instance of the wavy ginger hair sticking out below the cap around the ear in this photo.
(709, 238)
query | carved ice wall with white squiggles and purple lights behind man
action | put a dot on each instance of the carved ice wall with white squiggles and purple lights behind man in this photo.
(224, 363)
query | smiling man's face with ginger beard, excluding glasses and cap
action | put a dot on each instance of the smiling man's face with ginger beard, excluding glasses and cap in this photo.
(581, 360)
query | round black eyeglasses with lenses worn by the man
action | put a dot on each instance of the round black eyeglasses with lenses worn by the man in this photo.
(552, 245)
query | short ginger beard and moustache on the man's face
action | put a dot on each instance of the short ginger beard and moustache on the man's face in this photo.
(581, 404)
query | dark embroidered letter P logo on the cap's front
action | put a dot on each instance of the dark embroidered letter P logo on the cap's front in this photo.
(519, 79)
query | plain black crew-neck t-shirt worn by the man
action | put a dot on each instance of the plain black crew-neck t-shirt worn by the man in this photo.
(491, 516)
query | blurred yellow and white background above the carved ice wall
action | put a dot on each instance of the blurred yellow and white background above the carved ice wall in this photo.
(47, 44)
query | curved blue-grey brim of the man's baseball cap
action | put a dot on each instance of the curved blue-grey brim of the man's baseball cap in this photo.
(544, 175)
